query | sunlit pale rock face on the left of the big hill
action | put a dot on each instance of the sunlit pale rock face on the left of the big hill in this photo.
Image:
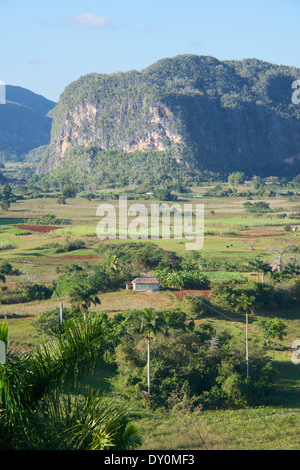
(127, 122)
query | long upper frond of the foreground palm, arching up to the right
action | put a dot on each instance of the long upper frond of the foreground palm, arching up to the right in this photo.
(61, 361)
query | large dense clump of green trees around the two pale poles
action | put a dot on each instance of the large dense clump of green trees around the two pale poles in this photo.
(209, 365)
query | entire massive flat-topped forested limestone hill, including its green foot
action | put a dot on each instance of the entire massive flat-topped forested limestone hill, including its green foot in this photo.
(170, 101)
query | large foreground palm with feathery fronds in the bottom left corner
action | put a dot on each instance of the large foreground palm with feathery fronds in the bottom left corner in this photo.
(35, 414)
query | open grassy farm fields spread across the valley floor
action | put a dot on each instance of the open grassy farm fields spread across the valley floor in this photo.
(232, 236)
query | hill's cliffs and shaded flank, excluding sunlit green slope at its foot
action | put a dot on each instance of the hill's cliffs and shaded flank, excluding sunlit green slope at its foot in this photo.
(220, 116)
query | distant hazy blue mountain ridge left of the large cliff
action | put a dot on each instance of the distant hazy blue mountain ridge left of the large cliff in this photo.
(25, 121)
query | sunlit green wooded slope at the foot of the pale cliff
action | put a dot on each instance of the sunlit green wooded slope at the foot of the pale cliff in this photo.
(117, 169)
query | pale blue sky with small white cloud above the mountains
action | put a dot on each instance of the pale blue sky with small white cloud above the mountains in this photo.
(47, 45)
